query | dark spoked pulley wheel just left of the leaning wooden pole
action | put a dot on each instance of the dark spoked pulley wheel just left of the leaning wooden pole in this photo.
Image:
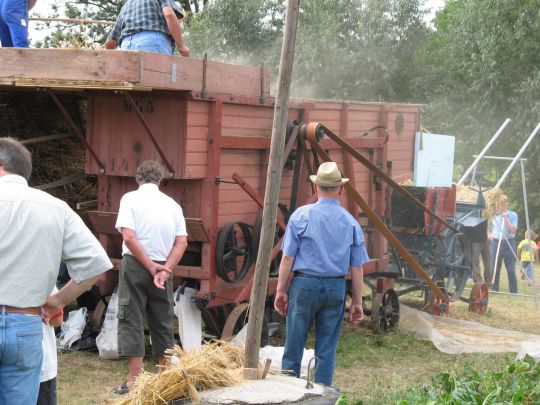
(233, 258)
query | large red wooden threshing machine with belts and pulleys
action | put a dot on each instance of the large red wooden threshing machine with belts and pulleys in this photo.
(210, 124)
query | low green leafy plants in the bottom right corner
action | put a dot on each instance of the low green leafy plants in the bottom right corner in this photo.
(518, 384)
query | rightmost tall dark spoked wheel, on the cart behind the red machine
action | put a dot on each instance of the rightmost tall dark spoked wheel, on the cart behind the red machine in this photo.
(457, 266)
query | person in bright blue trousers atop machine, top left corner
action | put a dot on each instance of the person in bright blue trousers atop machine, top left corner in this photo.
(14, 22)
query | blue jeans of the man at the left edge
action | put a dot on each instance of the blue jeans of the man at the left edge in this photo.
(20, 358)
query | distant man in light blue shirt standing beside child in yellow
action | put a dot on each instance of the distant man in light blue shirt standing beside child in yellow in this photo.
(503, 246)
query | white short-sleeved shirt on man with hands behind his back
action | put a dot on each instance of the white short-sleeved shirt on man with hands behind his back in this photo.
(156, 219)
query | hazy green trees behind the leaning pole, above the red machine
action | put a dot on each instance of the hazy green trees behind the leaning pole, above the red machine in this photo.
(347, 49)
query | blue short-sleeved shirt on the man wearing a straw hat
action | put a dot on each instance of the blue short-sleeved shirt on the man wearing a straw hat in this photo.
(324, 239)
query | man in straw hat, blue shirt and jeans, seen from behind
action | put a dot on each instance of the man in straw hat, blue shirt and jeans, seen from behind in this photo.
(322, 244)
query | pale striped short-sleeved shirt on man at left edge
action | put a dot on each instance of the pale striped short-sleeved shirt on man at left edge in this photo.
(37, 232)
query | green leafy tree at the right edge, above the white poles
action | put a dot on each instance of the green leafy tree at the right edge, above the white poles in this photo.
(483, 64)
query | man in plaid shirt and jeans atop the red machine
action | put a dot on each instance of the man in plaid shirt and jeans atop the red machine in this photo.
(148, 25)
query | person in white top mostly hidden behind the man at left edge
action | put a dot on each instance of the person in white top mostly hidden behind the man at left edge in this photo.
(47, 379)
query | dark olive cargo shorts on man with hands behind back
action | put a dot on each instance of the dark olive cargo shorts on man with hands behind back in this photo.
(138, 298)
